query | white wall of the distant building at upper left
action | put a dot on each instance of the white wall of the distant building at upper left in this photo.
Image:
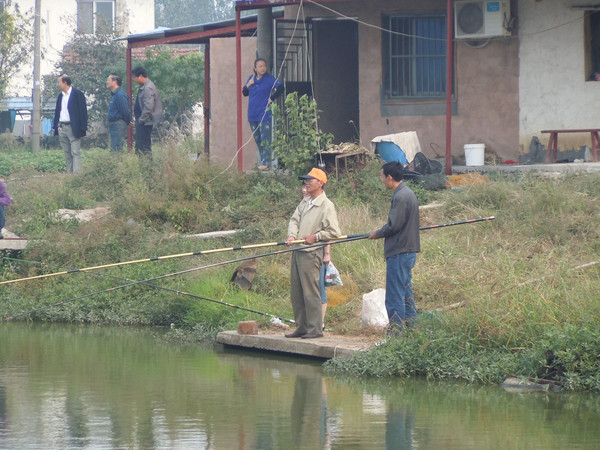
(59, 19)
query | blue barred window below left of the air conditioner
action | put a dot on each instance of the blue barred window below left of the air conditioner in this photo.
(414, 56)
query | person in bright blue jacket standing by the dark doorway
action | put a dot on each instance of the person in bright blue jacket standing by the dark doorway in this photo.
(261, 89)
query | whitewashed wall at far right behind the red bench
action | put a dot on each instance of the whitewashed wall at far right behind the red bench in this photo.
(553, 90)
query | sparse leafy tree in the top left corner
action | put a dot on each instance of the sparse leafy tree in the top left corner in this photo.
(16, 43)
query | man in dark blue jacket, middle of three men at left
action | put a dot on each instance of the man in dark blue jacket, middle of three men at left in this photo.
(119, 114)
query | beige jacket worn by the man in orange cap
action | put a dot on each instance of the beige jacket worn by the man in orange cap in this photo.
(319, 218)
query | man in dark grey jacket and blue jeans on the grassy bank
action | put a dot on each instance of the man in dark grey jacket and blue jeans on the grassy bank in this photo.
(401, 245)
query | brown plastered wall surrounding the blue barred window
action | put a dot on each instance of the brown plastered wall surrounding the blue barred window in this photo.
(486, 86)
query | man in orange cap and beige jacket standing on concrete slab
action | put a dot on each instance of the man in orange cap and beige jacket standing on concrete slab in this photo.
(314, 220)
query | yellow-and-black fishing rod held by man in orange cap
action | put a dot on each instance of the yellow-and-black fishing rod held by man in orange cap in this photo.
(161, 258)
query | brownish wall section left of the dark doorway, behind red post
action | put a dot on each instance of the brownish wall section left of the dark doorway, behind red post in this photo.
(223, 110)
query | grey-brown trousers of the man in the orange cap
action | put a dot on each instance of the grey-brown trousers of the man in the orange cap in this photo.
(305, 293)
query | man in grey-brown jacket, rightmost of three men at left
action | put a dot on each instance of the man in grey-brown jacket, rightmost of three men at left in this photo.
(147, 111)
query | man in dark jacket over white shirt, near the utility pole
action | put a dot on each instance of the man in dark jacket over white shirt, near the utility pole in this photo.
(70, 122)
